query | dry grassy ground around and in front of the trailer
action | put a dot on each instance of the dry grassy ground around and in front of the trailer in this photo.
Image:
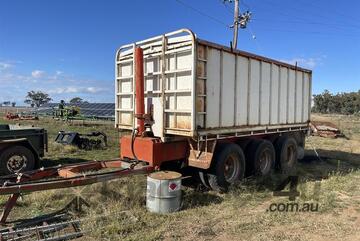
(118, 210)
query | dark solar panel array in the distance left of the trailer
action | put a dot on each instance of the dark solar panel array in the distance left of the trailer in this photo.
(105, 110)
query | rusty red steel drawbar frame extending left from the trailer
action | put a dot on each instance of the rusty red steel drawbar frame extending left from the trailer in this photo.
(63, 177)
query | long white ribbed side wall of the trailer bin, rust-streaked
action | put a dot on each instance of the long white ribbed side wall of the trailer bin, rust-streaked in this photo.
(242, 92)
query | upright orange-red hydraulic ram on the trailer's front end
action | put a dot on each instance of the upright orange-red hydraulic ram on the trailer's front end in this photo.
(139, 83)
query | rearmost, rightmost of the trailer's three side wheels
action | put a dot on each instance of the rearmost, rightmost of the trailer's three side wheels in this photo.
(286, 154)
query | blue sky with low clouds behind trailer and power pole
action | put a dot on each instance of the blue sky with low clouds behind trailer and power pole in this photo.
(66, 47)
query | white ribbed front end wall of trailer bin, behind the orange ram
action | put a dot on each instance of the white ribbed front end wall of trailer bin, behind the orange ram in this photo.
(169, 69)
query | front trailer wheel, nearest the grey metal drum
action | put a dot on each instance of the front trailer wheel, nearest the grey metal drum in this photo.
(229, 168)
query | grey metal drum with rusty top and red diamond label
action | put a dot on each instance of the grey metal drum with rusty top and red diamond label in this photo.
(163, 193)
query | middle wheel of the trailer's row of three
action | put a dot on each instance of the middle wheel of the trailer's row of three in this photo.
(260, 157)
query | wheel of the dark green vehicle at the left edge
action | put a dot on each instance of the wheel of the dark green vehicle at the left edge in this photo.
(16, 159)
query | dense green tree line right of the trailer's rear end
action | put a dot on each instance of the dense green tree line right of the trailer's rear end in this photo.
(340, 103)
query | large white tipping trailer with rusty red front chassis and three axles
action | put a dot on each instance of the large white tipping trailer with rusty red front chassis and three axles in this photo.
(226, 113)
